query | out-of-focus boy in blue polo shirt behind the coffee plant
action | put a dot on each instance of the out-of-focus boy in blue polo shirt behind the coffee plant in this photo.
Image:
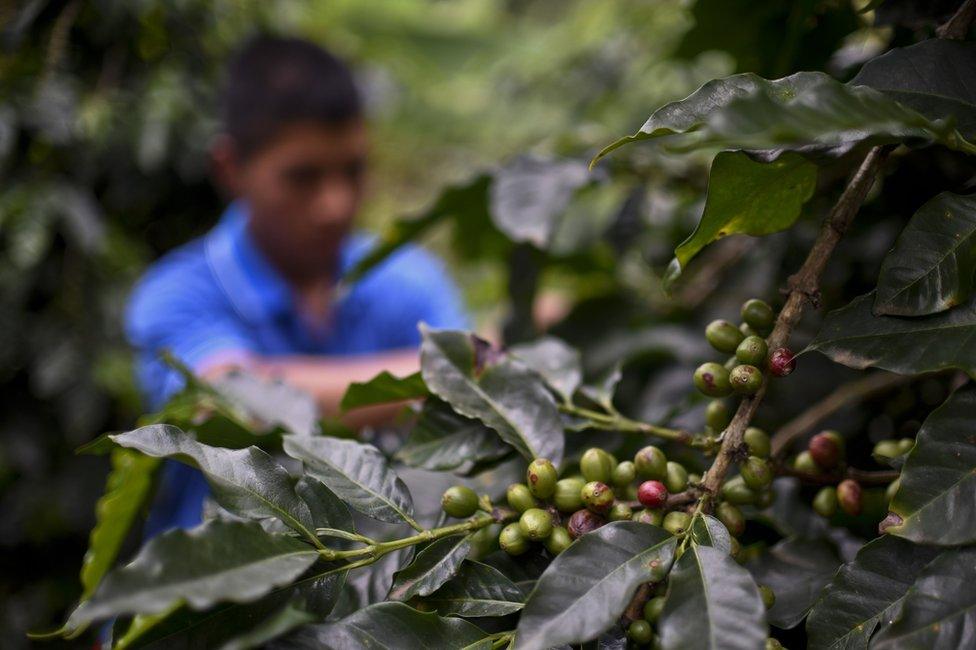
(257, 291)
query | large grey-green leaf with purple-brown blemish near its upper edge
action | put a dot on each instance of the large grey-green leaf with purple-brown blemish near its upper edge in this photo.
(494, 388)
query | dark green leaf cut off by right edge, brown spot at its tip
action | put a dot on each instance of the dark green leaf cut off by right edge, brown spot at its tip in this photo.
(935, 499)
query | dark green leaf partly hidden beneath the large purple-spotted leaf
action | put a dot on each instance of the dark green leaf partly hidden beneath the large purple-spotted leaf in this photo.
(442, 440)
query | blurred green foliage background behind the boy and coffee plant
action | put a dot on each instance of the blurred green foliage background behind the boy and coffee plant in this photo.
(107, 109)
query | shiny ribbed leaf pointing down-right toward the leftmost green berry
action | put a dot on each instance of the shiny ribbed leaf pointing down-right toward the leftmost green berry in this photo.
(357, 473)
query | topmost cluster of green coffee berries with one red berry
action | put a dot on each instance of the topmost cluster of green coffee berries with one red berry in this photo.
(743, 372)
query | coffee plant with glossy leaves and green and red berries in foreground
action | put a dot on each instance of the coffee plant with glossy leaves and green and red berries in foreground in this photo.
(565, 519)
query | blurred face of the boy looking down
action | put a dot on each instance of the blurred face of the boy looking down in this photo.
(303, 189)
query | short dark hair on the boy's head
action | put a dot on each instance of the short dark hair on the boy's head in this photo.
(273, 81)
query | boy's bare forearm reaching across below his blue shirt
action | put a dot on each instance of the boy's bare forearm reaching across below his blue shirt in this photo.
(327, 378)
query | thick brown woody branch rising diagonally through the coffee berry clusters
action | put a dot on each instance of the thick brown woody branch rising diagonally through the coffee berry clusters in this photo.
(803, 288)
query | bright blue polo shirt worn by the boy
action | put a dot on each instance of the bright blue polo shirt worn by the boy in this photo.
(218, 299)
